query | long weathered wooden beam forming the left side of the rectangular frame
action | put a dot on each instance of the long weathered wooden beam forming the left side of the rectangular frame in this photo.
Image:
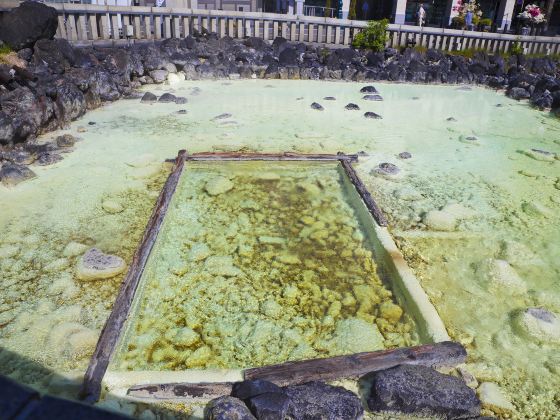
(110, 334)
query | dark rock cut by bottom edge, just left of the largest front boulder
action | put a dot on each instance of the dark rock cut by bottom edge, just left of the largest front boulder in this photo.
(317, 400)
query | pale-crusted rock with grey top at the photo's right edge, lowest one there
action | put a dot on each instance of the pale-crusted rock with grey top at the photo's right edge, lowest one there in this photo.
(538, 324)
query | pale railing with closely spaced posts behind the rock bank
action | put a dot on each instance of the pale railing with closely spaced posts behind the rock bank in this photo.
(86, 23)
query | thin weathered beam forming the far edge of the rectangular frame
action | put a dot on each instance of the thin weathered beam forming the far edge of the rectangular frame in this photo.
(270, 156)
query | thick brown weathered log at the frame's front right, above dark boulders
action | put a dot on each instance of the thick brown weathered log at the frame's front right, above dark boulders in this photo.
(446, 353)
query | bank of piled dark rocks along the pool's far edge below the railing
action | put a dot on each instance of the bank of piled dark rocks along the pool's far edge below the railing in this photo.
(54, 83)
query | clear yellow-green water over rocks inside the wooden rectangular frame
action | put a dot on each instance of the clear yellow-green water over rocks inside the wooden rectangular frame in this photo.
(259, 263)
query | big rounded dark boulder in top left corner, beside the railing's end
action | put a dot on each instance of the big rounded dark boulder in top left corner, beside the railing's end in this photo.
(24, 25)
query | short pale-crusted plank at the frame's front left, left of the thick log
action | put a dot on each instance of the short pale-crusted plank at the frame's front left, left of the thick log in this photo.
(180, 390)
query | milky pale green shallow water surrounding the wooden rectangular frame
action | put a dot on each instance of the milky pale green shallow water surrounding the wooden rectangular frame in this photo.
(510, 210)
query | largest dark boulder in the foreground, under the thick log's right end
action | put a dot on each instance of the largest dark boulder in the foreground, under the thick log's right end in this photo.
(422, 390)
